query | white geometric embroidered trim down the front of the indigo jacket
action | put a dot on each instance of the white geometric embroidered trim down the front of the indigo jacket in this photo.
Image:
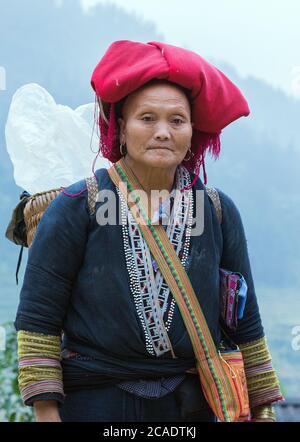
(151, 294)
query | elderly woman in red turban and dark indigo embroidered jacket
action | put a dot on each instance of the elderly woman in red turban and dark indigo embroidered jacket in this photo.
(126, 352)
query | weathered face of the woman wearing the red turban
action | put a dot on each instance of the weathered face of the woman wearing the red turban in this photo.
(156, 125)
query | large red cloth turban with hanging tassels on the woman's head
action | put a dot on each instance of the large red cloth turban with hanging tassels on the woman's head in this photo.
(216, 101)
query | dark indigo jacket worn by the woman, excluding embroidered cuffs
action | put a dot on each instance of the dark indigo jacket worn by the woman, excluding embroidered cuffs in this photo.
(76, 280)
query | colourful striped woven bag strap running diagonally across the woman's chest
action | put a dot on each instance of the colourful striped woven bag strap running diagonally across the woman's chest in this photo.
(216, 385)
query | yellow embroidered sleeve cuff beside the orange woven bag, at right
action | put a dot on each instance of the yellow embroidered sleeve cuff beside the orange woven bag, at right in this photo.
(262, 381)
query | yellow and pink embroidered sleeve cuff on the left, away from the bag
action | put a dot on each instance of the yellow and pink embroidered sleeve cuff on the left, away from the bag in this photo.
(39, 365)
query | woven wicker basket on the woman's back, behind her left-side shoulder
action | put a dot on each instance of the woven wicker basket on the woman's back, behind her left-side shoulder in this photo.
(34, 210)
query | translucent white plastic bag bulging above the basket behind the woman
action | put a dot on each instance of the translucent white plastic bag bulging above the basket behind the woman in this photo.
(48, 143)
